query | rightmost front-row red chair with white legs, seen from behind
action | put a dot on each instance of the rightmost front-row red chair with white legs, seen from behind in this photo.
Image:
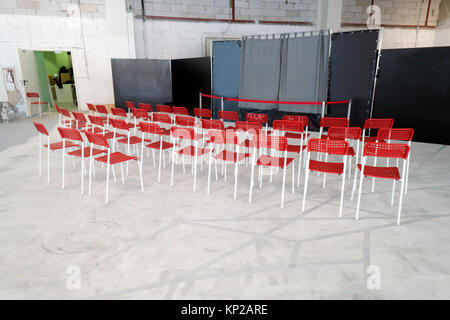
(383, 150)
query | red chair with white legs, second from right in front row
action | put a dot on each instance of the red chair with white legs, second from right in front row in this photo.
(334, 147)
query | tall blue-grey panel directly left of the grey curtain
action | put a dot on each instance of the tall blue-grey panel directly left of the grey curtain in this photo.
(225, 74)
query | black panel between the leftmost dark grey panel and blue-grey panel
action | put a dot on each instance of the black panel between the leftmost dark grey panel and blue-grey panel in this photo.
(189, 77)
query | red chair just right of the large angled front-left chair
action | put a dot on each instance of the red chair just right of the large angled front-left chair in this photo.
(161, 145)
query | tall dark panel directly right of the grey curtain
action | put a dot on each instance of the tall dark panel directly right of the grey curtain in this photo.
(352, 73)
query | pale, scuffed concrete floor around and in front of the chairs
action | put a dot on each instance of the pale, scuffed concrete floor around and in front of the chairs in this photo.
(171, 243)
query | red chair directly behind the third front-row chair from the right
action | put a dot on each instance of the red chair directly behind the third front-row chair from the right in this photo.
(281, 128)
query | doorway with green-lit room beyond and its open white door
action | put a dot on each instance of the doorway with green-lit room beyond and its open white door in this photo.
(50, 73)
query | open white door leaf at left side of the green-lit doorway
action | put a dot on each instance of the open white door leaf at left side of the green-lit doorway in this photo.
(30, 76)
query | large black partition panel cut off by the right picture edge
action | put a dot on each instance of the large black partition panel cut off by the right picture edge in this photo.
(414, 89)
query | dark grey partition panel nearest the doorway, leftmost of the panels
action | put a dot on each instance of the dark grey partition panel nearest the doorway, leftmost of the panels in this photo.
(141, 80)
